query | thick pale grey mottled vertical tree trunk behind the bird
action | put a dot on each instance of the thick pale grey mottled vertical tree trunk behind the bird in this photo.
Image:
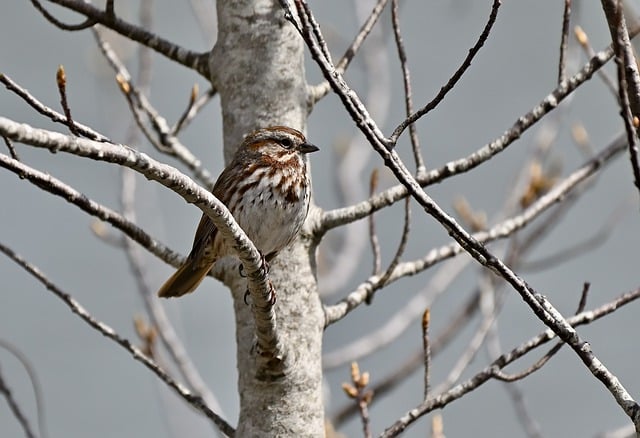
(257, 65)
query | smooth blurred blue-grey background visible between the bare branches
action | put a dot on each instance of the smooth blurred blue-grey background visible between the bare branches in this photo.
(91, 387)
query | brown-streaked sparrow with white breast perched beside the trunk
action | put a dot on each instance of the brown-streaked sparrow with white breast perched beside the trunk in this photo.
(266, 189)
